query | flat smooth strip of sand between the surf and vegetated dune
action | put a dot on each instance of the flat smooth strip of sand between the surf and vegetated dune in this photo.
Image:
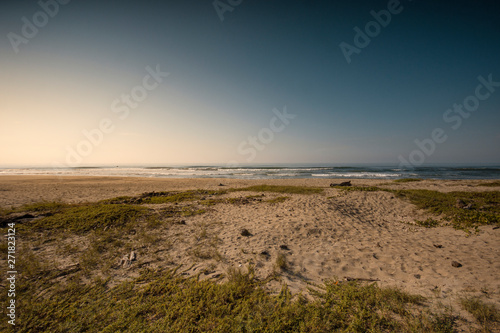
(19, 190)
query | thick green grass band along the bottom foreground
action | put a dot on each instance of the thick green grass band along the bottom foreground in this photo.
(162, 301)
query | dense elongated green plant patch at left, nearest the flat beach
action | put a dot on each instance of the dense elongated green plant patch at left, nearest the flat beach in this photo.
(89, 217)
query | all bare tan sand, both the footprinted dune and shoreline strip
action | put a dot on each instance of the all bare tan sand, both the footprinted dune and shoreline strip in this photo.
(334, 235)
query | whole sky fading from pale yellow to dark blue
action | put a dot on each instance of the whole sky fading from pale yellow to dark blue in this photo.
(86, 83)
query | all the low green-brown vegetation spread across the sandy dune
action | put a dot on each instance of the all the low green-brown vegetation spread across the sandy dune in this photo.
(83, 294)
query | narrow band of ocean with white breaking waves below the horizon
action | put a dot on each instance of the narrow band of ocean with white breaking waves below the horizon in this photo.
(270, 172)
